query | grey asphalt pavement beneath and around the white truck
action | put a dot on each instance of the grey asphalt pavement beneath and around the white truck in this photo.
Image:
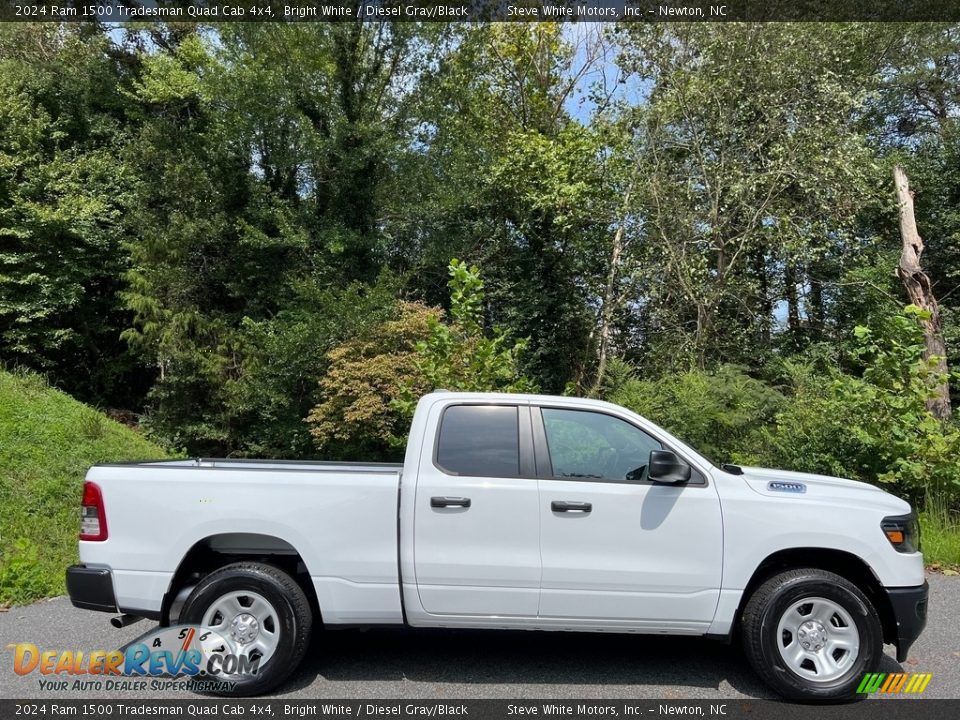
(467, 664)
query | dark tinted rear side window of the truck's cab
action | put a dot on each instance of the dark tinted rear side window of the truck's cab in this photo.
(479, 441)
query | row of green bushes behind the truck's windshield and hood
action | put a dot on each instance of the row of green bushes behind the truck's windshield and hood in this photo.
(873, 427)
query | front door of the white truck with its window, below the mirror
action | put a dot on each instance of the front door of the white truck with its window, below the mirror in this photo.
(616, 547)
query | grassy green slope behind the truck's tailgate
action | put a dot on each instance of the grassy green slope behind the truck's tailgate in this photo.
(48, 440)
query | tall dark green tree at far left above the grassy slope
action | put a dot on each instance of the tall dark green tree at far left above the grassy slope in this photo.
(63, 120)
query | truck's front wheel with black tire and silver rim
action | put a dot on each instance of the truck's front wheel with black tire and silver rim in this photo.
(763, 637)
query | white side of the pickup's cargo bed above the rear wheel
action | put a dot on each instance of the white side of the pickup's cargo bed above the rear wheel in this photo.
(339, 517)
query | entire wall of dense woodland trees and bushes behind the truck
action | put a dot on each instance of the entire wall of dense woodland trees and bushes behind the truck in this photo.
(243, 233)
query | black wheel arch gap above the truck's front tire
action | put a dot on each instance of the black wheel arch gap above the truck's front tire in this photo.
(843, 563)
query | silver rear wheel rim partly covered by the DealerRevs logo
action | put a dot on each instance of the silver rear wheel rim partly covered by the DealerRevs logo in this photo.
(249, 620)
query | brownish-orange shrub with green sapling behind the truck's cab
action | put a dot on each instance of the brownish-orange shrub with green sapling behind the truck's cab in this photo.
(372, 384)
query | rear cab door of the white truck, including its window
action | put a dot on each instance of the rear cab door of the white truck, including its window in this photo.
(477, 519)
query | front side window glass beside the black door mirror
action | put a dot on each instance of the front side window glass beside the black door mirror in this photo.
(586, 444)
